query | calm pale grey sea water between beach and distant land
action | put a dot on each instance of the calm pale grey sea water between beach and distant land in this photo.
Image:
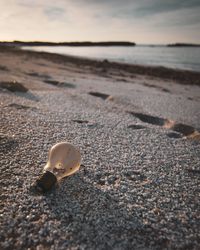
(187, 58)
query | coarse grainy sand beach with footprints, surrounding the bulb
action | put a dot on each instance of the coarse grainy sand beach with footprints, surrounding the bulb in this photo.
(138, 131)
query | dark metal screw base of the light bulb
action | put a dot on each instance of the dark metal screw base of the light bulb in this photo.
(45, 182)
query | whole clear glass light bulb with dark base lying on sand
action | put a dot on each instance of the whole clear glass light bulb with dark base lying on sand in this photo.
(64, 159)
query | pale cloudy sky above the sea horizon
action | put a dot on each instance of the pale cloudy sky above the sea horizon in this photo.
(140, 21)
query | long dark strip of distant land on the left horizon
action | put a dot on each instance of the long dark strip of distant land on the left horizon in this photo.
(37, 43)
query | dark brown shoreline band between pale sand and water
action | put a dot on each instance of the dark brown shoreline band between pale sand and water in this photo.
(181, 76)
